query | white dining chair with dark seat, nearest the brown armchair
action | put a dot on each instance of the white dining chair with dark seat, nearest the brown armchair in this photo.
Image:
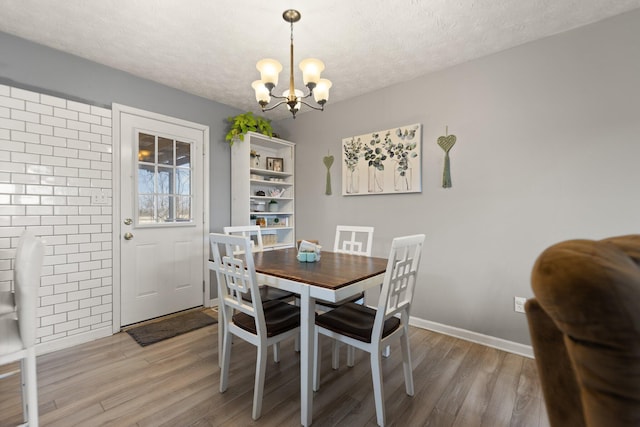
(371, 329)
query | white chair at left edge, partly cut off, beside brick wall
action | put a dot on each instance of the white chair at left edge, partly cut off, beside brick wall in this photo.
(18, 333)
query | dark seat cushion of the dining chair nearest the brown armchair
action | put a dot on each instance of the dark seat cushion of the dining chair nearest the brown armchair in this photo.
(355, 321)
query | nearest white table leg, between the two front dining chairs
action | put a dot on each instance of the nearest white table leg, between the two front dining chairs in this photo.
(307, 323)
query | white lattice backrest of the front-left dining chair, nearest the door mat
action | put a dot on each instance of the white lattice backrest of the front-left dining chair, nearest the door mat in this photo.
(236, 275)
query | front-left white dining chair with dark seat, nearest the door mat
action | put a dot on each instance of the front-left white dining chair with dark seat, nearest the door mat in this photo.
(259, 324)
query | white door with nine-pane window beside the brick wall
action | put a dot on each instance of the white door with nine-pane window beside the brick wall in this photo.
(161, 215)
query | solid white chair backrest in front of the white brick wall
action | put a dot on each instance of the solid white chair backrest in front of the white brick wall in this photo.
(27, 271)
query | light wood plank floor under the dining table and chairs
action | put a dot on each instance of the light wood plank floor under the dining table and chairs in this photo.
(113, 381)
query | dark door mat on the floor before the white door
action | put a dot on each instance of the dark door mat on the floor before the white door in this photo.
(168, 328)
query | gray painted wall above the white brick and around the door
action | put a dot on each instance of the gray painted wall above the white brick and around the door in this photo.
(31, 66)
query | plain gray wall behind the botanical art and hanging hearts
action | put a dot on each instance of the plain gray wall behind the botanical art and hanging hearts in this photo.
(548, 149)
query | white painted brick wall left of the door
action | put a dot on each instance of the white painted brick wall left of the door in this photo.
(54, 155)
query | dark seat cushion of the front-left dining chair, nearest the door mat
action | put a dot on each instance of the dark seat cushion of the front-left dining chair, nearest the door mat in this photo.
(279, 317)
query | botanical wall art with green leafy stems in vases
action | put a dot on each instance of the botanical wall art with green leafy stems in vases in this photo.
(383, 162)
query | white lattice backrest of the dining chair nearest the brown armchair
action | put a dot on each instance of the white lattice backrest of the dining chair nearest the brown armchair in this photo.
(399, 281)
